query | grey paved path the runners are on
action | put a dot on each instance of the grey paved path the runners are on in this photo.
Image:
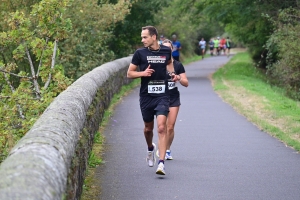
(218, 154)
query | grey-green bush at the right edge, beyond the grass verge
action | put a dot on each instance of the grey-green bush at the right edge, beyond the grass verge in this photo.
(283, 55)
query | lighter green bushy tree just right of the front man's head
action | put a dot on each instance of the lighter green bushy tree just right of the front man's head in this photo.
(190, 27)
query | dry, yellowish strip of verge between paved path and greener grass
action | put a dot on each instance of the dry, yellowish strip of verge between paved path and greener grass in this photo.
(255, 109)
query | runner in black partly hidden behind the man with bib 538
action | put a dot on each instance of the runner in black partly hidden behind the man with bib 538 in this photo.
(174, 99)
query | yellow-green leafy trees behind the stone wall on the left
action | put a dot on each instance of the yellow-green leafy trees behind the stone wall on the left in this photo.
(39, 45)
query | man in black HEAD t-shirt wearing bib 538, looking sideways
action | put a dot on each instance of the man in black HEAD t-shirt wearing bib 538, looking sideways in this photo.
(152, 61)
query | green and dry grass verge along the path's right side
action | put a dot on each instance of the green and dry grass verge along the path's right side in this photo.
(247, 90)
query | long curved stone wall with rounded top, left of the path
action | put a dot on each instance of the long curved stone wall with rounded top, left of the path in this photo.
(49, 162)
